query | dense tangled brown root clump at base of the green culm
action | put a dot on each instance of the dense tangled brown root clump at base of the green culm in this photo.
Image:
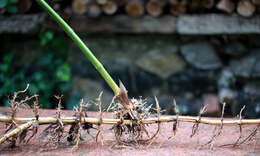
(134, 110)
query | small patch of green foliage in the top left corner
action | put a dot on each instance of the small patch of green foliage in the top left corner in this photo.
(9, 6)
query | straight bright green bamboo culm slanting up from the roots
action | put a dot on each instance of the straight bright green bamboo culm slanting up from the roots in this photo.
(82, 46)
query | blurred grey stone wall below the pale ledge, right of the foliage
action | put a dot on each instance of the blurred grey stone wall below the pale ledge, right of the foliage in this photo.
(196, 70)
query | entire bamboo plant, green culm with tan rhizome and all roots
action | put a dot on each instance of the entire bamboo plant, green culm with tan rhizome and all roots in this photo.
(130, 115)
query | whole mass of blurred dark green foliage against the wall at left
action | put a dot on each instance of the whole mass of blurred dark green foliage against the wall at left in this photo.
(49, 75)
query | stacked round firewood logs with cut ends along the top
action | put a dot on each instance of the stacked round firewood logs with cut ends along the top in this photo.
(155, 8)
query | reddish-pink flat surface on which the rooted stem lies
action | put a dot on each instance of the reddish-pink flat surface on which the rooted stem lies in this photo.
(180, 144)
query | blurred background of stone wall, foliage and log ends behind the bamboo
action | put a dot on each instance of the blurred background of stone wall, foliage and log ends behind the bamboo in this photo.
(196, 51)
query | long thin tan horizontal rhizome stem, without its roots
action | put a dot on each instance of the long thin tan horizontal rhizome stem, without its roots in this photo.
(193, 119)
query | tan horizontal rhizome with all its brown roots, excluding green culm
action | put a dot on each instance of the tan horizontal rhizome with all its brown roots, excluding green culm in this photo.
(130, 123)
